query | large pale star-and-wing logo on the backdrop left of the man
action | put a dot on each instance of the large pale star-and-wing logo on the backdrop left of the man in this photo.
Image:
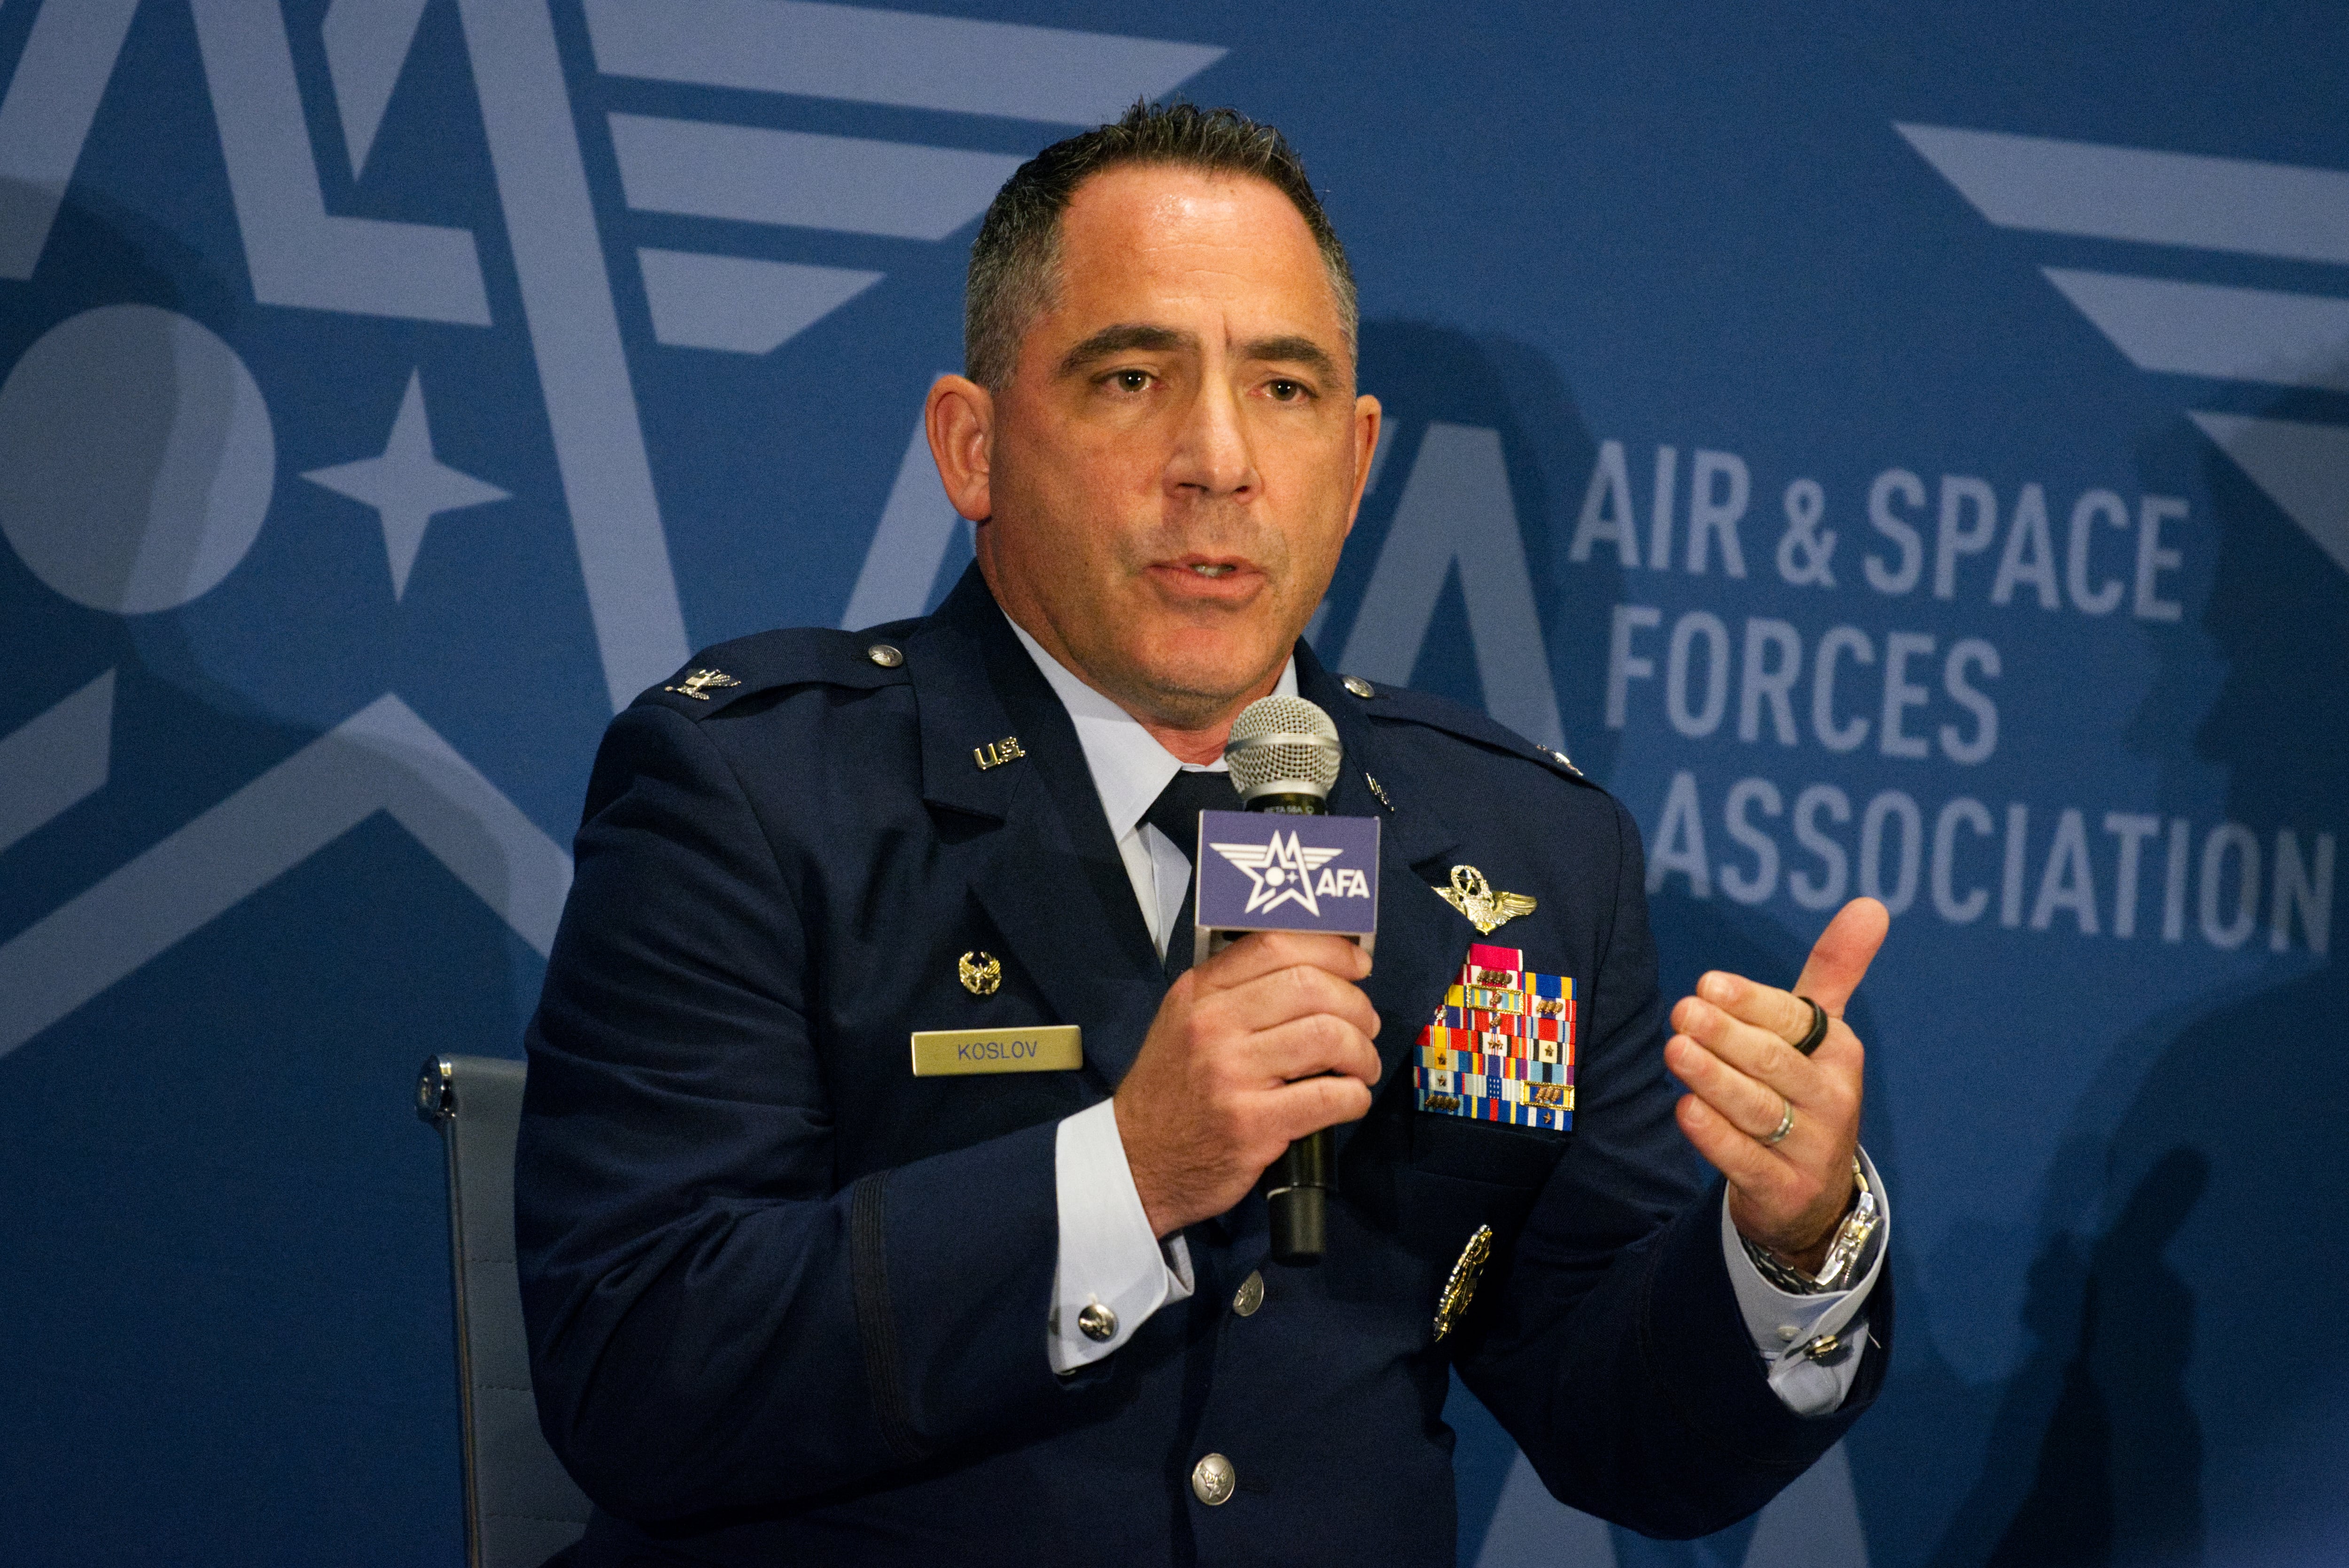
(304, 257)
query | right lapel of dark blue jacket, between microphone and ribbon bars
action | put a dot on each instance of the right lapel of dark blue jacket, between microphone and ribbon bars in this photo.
(1422, 940)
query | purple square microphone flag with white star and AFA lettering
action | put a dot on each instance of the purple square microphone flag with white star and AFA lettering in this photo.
(1270, 872)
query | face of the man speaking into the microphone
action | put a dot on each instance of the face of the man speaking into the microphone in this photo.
(1180, 452)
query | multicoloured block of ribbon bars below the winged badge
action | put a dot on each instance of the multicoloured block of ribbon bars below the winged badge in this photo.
(1502, 1046)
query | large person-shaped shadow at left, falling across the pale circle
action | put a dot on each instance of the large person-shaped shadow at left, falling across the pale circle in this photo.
(224, 1224)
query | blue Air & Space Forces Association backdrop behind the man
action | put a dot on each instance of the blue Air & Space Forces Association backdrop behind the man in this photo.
(1899, 454)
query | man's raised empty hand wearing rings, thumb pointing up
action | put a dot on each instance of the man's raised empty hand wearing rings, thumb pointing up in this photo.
(1737, 1055)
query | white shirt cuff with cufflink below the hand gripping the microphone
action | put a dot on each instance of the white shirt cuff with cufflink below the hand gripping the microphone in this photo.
(1108, 1252)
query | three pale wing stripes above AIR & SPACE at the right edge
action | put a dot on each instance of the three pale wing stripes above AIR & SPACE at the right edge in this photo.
(2193, 327)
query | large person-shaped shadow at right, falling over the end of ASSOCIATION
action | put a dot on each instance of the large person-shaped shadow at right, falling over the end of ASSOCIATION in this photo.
(2212, 1299)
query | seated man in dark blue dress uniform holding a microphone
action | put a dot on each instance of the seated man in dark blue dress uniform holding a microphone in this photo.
(802, 1292)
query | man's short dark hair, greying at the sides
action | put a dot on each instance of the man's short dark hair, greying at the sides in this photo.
(1016, 259)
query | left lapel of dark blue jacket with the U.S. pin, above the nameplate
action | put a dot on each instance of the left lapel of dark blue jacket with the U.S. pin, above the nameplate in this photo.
(1035, 834)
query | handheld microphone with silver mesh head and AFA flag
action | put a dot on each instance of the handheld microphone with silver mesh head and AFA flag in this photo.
(1284, 759)
